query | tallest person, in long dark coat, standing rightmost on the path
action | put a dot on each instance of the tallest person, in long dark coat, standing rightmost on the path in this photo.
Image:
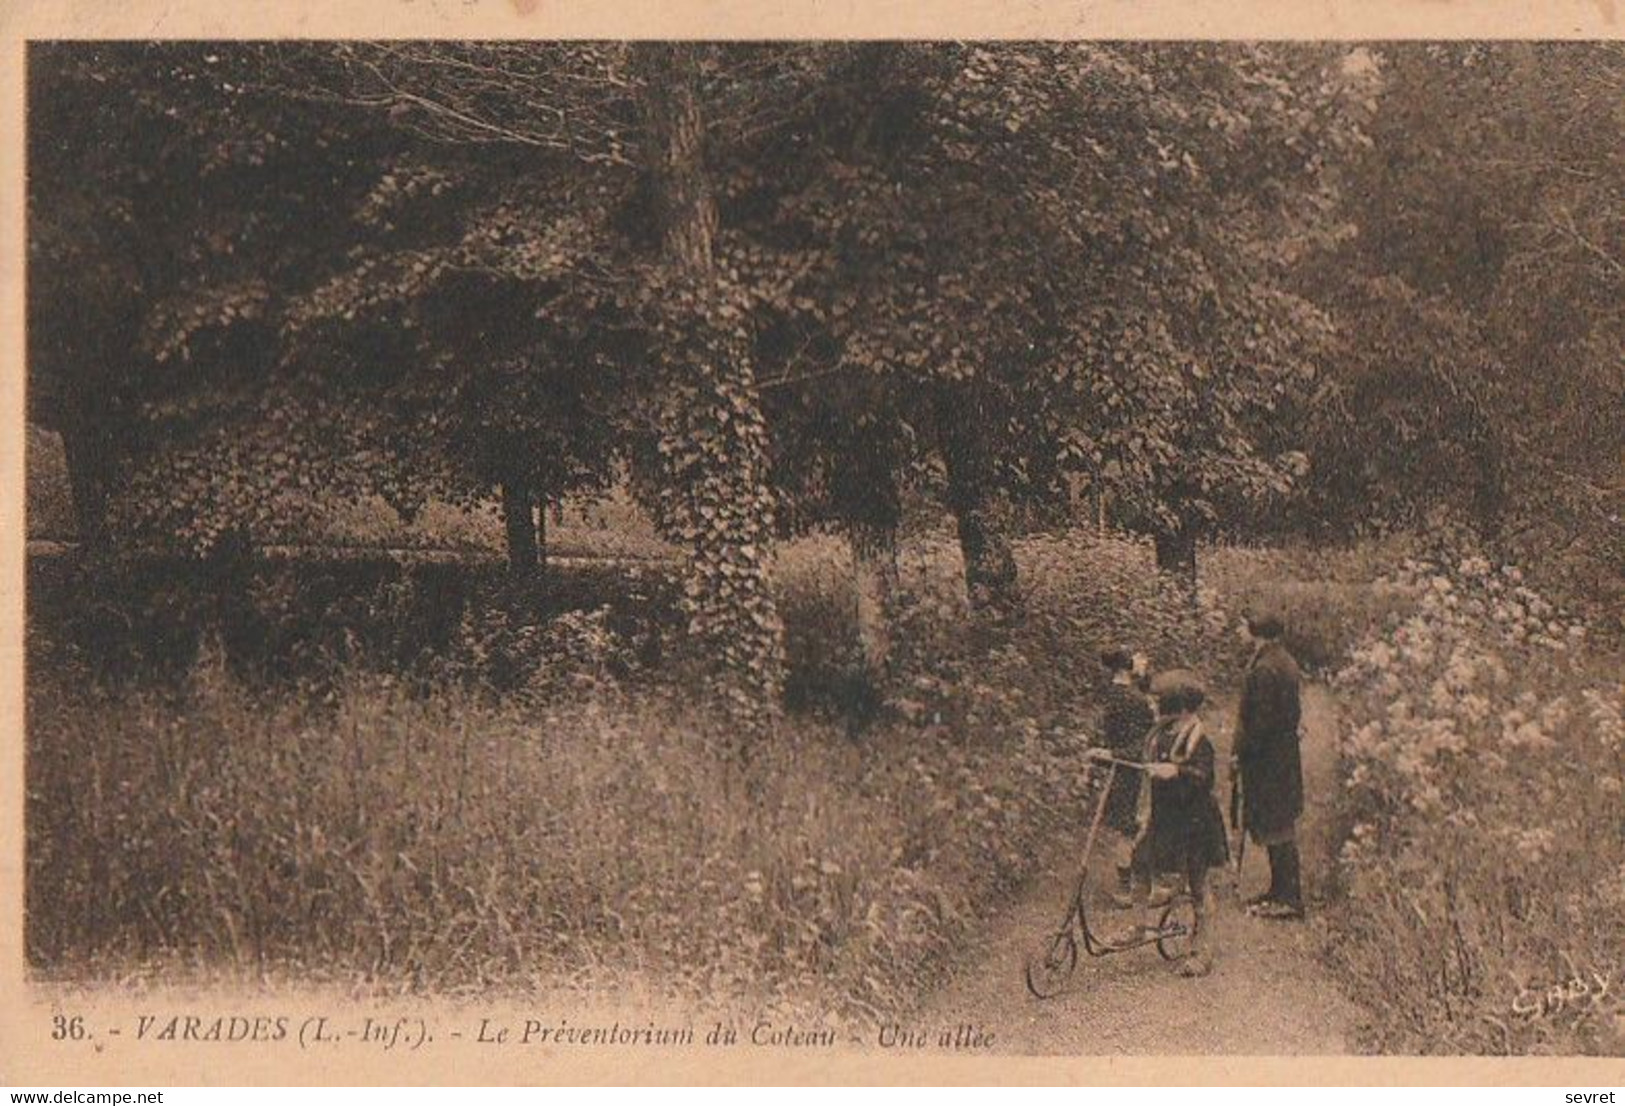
(1268, 767)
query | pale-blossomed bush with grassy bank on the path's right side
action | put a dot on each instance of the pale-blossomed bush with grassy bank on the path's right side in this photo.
(1484, 860)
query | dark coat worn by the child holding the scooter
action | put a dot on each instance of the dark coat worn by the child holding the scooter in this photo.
(1185, 831)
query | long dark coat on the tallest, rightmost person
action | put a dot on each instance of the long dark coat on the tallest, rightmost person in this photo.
(1267, 746)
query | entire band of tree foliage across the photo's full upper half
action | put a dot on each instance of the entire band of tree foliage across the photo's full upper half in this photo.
(1177, 277)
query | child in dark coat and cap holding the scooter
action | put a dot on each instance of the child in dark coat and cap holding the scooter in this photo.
(1184, 831)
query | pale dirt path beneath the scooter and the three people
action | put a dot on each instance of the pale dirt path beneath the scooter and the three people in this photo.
(1268, 995)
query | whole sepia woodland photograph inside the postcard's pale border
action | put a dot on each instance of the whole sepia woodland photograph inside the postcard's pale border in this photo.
(917, 548)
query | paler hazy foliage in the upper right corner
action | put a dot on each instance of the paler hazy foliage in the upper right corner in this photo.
(1478, 309)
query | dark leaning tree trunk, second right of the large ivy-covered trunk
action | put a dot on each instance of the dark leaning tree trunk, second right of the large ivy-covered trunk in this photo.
(990, 563)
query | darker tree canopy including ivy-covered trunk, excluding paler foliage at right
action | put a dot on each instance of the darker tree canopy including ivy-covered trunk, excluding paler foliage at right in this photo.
(784, 285)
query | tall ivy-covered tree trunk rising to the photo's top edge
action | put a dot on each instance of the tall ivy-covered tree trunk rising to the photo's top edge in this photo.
(714, 438)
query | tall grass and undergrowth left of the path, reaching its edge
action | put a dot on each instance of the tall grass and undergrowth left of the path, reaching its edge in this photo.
(578, 829)
